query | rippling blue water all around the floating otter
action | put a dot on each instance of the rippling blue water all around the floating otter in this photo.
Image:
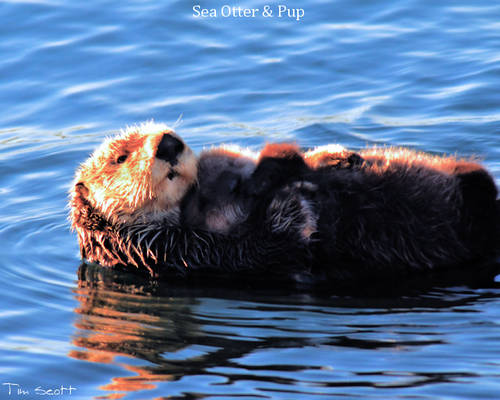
(422, 74)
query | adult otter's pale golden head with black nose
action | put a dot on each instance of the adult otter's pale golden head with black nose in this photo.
(141, 174)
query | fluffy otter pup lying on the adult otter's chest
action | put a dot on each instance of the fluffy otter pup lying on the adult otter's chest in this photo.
(233, 183)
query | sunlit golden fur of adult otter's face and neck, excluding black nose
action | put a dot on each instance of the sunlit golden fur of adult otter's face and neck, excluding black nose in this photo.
(134, 192)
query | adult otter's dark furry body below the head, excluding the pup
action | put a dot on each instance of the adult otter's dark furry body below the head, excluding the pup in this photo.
(391, 213)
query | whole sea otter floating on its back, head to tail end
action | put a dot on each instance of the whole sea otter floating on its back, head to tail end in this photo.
(313, 217)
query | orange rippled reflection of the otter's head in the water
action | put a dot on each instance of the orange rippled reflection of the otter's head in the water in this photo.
(120, 317)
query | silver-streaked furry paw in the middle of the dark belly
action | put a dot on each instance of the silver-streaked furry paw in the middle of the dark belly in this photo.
(293, 211)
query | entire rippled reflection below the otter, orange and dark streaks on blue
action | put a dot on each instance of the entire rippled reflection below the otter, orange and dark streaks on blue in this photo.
(195, 343)
